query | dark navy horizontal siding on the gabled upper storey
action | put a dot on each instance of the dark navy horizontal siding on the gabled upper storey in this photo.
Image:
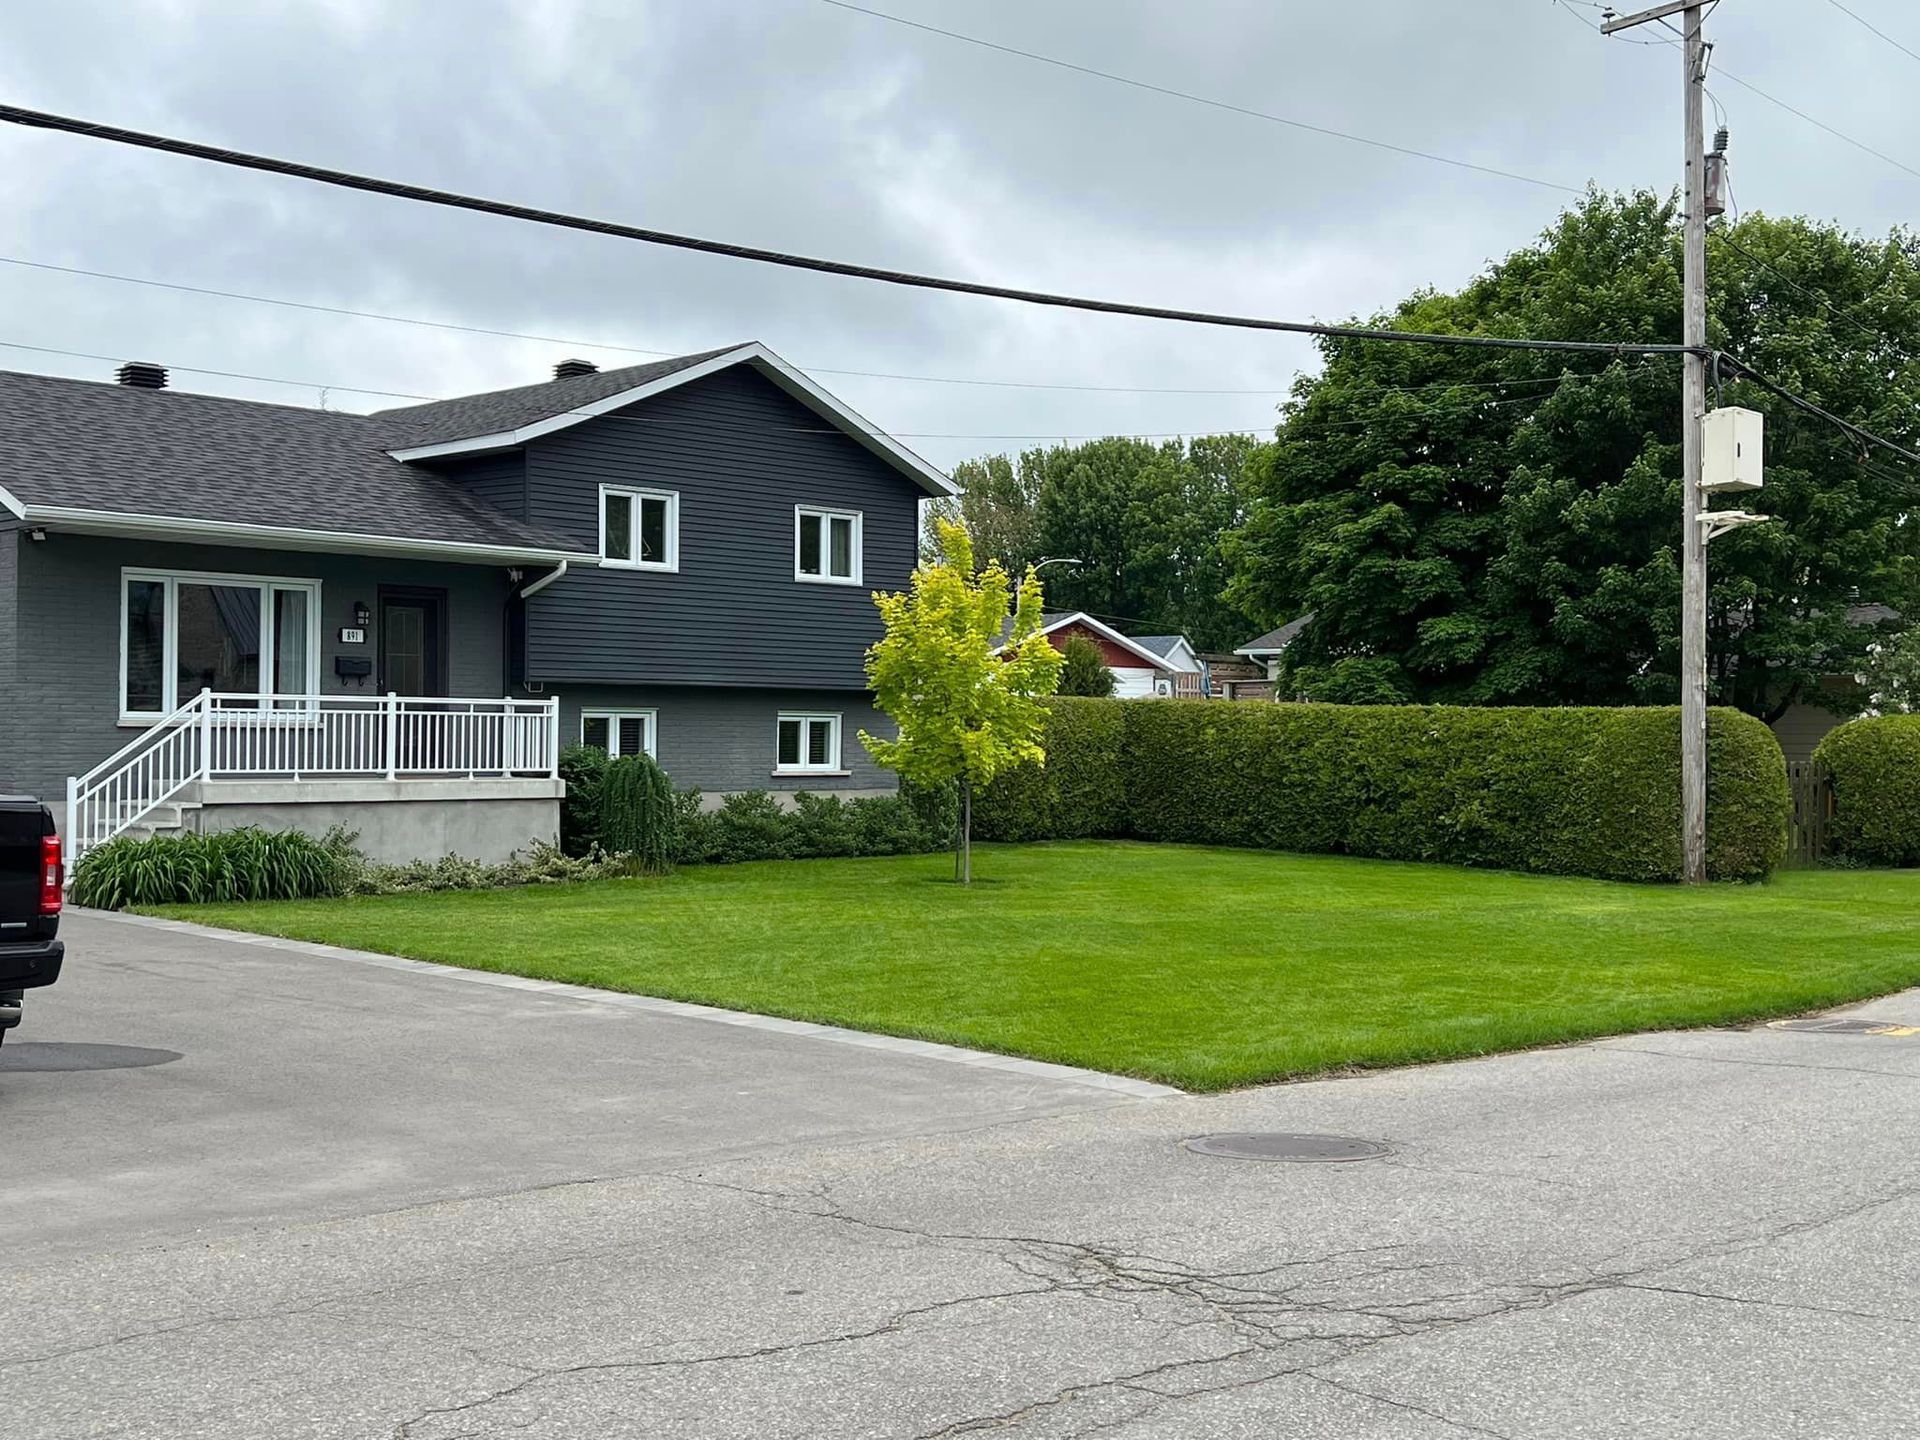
(742, 454)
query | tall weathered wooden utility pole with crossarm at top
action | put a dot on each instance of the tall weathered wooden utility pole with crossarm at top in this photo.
(1692, 410)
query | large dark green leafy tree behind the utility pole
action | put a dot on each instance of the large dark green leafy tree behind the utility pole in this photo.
(1504, 527)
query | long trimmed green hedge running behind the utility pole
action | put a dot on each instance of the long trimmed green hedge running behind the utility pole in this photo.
(1572, 792)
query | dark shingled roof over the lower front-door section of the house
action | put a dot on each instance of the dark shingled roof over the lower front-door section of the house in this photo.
(99, 446)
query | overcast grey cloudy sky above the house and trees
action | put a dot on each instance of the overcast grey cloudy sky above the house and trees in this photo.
(798, 126)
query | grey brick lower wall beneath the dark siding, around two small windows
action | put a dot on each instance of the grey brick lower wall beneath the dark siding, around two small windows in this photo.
(723, 740)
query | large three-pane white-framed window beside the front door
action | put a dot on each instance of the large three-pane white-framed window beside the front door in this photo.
(185, 631)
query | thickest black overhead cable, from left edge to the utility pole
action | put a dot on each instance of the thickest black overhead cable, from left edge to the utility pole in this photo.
(562, 220)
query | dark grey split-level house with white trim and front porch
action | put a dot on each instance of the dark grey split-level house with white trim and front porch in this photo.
(220, 612)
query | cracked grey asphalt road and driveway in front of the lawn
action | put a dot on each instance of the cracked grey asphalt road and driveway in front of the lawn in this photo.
(375, 1201)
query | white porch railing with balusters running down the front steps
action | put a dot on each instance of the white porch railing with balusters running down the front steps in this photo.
(220, 736)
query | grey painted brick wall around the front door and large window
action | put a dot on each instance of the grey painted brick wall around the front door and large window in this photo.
(66, 717)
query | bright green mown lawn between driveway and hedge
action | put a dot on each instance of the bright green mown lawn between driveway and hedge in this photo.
(1203, 969)
